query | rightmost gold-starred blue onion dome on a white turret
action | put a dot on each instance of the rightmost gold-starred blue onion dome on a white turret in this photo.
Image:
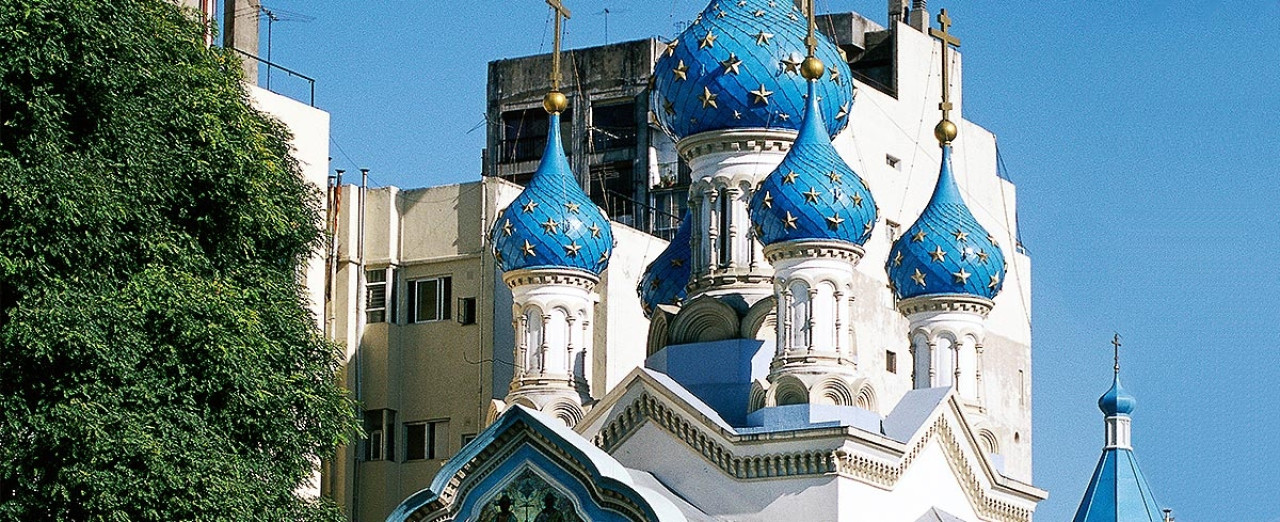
(947, 251)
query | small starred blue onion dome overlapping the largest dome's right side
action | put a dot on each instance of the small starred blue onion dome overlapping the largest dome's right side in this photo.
(813, 194)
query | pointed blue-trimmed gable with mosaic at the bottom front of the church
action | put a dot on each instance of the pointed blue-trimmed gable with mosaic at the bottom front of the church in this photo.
(528, 468)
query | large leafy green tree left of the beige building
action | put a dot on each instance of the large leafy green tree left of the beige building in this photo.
(157, 356)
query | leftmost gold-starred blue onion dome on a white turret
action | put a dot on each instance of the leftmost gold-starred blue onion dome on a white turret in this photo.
(552, 225)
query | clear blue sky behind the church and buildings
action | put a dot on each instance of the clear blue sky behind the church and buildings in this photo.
(1144, 138)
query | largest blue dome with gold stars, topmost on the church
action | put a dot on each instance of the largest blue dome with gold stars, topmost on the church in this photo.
(738, 66)
